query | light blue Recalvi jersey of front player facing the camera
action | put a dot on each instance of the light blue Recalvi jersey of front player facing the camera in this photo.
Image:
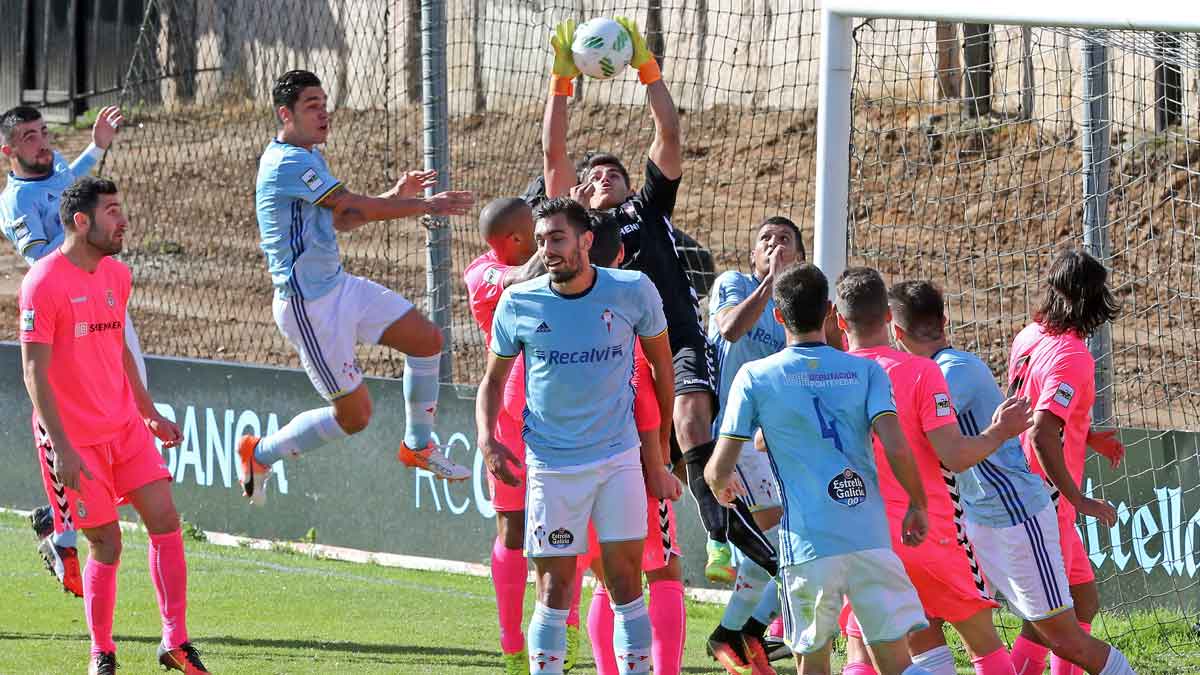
(579, 359)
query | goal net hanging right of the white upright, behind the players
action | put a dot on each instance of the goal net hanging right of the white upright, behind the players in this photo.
(979, 152)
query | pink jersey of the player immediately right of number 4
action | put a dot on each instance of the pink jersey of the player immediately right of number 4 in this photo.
(923, 404)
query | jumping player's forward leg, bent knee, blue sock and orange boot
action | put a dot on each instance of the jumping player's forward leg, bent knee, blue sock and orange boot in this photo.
(421, 342)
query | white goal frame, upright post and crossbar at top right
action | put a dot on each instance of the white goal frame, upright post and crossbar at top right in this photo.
(837, 62)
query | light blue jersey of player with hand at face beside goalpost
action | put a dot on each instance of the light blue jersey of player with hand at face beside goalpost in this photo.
(765, 338)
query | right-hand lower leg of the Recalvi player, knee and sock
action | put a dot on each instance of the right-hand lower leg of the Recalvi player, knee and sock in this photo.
(632, 629)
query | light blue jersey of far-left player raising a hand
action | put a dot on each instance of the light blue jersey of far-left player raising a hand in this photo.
(29, 208)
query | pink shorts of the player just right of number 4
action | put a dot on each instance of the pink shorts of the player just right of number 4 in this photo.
(940, 572)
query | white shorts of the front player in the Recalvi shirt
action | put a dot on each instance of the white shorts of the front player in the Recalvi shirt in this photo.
(560, 503)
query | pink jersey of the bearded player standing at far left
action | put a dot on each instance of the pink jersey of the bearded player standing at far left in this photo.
(82, 316)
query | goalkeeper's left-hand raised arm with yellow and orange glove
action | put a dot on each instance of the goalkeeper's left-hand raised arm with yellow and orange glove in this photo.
(557, 168)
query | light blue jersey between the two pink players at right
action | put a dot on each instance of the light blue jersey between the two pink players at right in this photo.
(1000, 492)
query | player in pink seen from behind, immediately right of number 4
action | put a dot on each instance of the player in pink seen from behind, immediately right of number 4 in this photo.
(943, 570)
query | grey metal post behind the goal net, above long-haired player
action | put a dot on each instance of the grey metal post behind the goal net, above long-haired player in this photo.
(1097, 126)
